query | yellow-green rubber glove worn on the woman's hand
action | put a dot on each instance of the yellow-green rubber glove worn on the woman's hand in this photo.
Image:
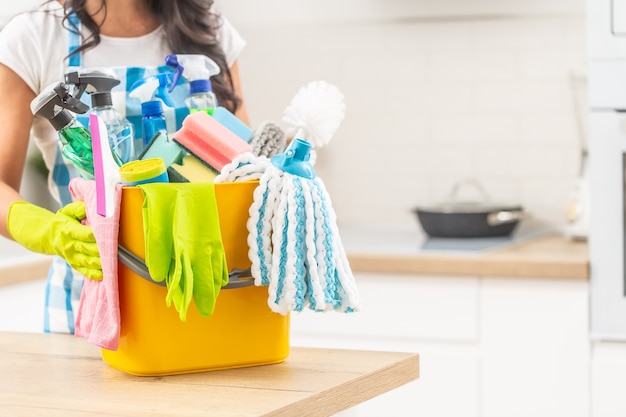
(60, 233)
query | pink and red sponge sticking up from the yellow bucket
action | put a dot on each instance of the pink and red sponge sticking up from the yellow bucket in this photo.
(210, 141)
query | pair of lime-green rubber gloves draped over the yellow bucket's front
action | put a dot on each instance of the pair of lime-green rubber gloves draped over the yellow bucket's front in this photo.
(184, 244)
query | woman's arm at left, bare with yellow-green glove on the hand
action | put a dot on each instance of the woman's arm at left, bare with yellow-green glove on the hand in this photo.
(36, 228)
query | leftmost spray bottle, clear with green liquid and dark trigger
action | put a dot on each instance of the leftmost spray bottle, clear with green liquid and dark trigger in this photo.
(55, 104)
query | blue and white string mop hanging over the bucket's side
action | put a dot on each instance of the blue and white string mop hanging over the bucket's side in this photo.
(295, 247)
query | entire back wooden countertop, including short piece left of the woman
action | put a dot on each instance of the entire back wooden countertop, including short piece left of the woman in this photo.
(545, 256)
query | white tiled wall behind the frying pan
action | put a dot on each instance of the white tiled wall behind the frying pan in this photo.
(430, 100)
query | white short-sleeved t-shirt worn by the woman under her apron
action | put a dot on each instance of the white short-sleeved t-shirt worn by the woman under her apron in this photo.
(35, 45)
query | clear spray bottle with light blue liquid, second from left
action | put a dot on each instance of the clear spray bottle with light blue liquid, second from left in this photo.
(99, 83)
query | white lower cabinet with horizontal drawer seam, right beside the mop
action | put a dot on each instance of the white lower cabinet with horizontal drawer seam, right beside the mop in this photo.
(435, 316)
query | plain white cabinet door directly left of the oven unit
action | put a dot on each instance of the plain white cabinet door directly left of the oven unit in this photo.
(535, 348)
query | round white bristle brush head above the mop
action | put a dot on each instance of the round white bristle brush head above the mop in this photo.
(315, 113)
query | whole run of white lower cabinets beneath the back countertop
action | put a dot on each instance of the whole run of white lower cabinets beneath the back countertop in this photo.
(488, 346)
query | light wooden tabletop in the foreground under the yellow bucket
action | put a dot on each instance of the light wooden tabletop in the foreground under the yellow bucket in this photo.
(61, 375)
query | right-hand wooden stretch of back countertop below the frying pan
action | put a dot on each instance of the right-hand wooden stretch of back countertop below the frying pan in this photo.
(548, 256)
